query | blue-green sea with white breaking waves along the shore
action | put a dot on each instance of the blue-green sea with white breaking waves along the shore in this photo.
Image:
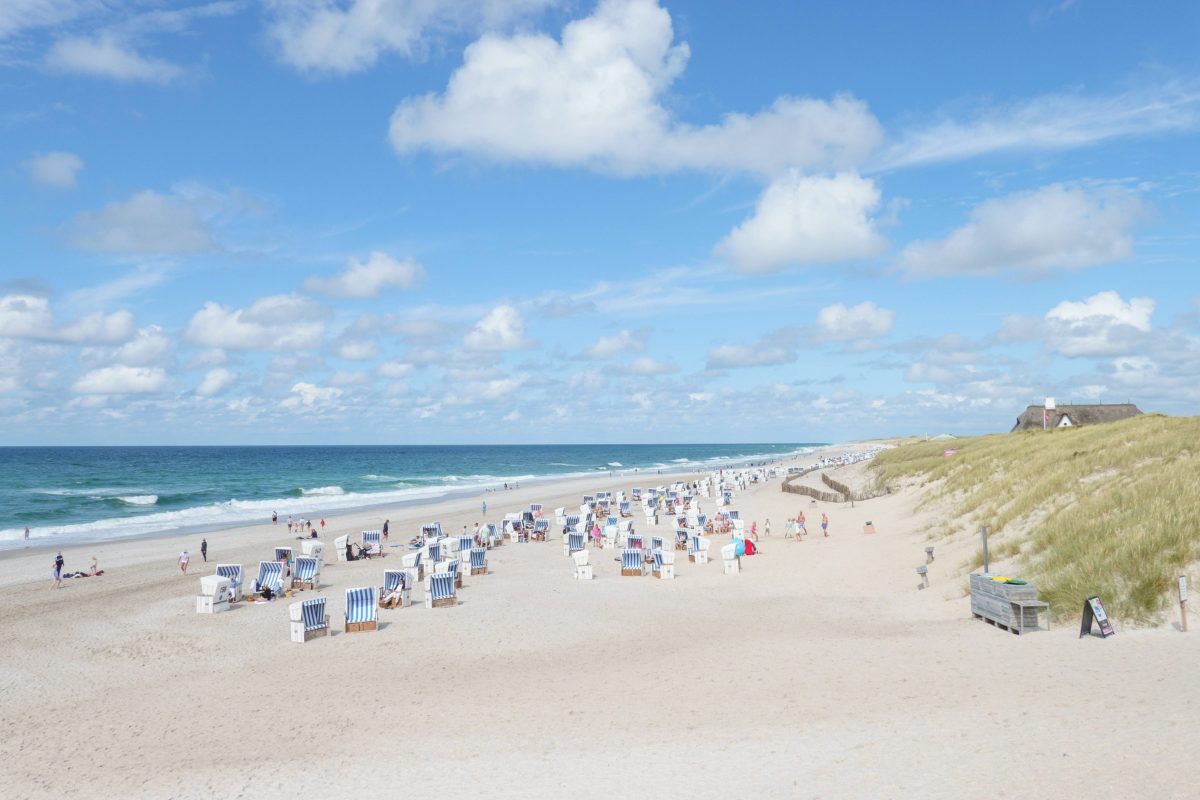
(81, 495)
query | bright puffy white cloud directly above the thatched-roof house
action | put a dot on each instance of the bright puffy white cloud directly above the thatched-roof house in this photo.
(1101, 326)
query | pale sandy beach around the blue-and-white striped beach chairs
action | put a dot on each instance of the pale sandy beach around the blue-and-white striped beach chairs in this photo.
(819, 672)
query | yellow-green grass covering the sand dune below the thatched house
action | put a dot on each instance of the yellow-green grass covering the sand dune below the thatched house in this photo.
(1107, 509)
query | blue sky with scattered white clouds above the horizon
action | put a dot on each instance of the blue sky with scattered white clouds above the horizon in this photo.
(543, 221)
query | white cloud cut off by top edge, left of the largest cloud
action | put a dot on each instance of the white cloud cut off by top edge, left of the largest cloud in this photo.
(349, 37)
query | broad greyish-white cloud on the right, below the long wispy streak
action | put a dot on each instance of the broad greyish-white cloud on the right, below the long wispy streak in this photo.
(1033, 233)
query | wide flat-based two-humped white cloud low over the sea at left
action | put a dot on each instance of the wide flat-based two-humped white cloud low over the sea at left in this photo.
(275, 323)
